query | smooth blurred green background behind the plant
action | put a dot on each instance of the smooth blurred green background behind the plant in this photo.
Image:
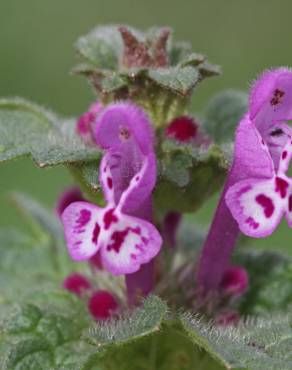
(37, 37)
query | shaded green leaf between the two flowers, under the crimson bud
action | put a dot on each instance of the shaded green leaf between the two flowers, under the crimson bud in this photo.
(188, 176)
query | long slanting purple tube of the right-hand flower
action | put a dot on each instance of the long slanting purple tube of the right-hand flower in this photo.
(219, 245)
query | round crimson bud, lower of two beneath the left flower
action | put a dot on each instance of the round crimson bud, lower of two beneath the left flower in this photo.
(102, 305)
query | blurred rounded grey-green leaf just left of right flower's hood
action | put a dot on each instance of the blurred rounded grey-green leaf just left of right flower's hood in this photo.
(223, 114)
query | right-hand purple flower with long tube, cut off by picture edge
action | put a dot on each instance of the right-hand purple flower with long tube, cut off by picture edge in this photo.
(260, 139)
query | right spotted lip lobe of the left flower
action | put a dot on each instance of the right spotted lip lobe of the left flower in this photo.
(131, 242)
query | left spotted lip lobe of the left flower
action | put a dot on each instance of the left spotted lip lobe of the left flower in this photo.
(82, 225)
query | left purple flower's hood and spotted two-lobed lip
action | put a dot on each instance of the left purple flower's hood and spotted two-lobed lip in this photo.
(127, 175)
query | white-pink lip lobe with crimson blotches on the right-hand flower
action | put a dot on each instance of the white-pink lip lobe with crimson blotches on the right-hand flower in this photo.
(257, 205)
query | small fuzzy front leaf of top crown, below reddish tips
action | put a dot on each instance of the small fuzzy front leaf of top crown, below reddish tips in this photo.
(179, 80)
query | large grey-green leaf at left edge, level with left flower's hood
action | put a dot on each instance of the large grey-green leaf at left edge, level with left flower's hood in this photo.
(27, 129)
